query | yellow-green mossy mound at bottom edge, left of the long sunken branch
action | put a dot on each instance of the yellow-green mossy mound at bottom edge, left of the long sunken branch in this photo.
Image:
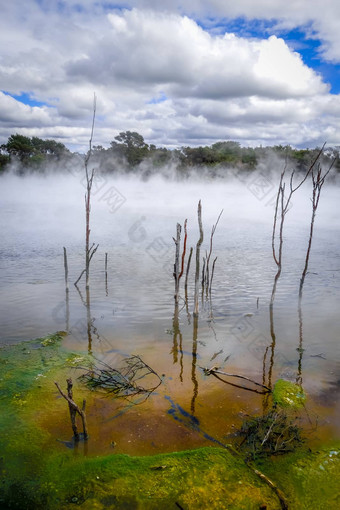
(205, 478)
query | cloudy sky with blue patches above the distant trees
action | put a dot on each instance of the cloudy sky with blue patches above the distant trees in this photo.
(186, 73)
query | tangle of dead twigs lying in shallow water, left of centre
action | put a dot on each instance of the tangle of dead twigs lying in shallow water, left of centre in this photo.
(123, 382)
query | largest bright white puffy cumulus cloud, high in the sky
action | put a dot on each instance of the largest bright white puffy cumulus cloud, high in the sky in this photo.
(145, 47)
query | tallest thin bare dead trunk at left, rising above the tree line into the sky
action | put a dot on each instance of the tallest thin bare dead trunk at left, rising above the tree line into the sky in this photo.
(89, 250)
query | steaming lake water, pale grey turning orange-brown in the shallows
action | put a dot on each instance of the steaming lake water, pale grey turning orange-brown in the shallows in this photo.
(132, 304)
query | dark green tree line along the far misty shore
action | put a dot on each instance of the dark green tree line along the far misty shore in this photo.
(128, 152)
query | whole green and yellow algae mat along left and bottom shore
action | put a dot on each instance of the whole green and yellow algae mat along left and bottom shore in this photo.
(37, 474)
